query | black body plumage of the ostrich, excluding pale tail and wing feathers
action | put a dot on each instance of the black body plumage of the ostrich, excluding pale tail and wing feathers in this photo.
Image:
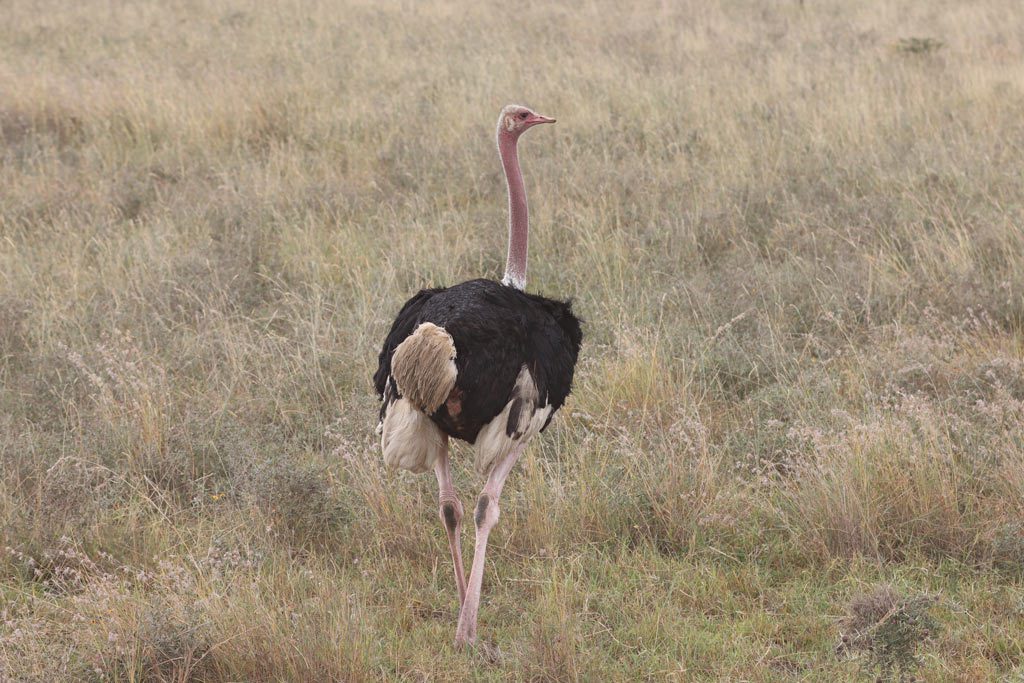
(496, 330)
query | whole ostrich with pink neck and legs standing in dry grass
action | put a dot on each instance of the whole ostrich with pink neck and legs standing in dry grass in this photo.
(483, 362)
